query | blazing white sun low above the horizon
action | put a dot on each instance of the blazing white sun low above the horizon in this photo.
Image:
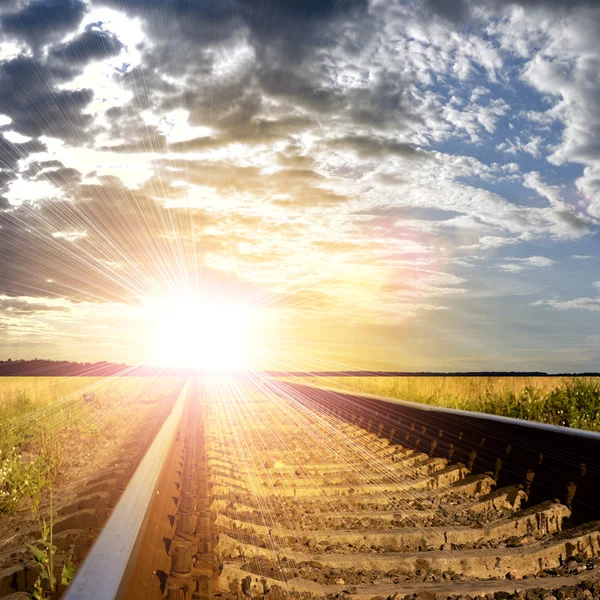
(196, 334)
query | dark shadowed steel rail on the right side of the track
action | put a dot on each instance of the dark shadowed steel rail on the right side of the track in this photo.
(548, 460)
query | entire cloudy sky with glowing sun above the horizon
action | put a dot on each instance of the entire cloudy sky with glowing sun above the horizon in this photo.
(384, 185)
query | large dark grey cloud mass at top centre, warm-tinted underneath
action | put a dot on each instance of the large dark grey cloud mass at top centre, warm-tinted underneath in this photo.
(290, 42)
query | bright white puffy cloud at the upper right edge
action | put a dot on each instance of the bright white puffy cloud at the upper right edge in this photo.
(561, 54)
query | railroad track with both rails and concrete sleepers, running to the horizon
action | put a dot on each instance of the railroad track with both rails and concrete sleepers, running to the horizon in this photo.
(261, 489)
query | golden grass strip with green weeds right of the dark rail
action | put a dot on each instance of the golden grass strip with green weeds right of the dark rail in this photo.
(572, 402)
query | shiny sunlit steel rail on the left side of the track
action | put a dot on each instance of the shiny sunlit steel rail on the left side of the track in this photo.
(106, 569)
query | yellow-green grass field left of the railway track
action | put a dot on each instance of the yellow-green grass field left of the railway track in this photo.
(36, 413)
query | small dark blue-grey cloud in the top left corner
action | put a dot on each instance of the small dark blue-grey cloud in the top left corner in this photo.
(42, 21)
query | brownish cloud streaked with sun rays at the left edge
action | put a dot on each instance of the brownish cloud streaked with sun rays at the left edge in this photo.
(41, 242)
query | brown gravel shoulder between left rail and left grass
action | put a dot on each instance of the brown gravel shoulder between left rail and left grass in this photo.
(83, 496)
